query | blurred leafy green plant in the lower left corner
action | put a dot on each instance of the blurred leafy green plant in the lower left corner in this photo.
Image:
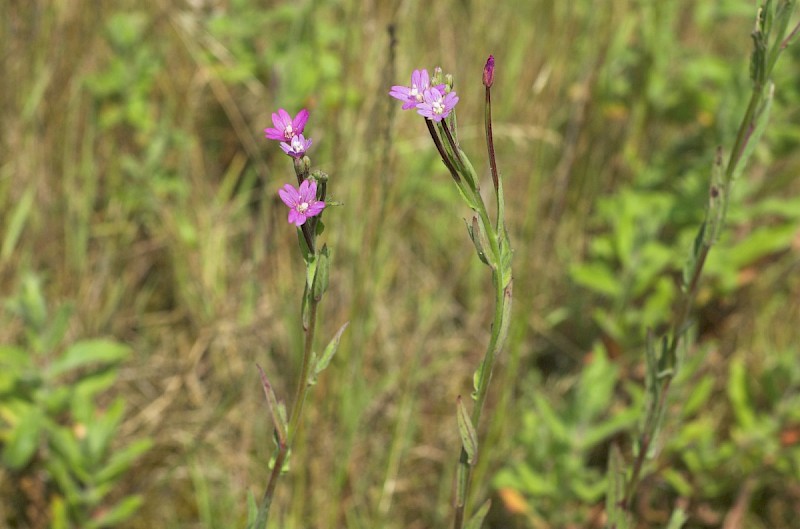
(52, 420)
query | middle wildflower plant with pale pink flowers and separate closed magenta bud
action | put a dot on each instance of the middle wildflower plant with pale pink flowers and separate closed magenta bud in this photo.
(435, 99)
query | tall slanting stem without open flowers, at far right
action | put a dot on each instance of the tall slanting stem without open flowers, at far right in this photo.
(664, 356)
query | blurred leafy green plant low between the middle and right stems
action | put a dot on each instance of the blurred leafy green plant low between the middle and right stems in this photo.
(562, 437)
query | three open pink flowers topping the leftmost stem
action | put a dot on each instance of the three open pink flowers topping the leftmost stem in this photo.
(302, 201)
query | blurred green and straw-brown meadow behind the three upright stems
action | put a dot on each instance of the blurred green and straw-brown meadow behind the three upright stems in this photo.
(138, 204)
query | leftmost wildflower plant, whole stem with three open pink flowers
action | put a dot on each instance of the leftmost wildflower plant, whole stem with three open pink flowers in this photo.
(306, 204)
